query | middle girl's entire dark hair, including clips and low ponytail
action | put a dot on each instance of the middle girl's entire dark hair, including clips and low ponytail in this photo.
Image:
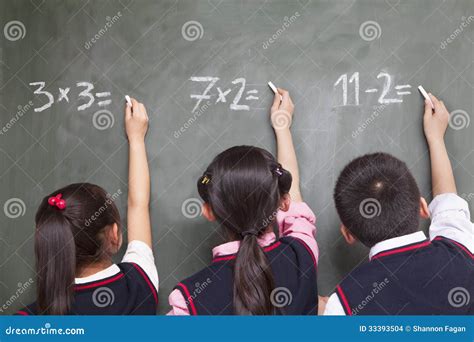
(243, 185)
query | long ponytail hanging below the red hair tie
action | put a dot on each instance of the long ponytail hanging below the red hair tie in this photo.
(56, 265)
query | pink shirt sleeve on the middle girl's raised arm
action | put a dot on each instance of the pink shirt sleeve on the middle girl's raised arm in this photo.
(299, 222)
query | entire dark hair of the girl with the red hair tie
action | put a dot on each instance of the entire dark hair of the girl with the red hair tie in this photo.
(68, 239)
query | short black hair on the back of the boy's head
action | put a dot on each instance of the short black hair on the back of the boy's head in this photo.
(377, 198)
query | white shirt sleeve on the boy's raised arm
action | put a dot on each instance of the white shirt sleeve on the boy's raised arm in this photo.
(450, 218)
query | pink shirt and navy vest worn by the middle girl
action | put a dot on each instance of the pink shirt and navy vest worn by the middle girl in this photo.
(293, 259)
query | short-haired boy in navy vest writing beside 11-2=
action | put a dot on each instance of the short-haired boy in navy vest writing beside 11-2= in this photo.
(380, 205)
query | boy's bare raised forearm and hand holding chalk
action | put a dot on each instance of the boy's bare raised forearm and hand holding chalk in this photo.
(435, 123)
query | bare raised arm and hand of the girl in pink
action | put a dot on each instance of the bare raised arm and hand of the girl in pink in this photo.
(281, 117)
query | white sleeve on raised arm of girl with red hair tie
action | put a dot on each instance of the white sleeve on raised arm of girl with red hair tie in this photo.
(141, 254)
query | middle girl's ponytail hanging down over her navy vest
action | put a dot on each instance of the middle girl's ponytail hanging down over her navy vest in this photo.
(253, 279)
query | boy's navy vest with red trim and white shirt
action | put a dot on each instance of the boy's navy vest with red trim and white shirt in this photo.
(414, 275)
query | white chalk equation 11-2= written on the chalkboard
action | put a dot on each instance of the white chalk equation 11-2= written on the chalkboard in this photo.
(388, 93)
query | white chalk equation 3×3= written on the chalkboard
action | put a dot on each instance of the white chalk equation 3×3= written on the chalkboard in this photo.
(87, 95)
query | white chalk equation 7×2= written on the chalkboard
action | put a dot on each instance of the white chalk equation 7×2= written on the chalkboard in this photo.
(221, 95)
